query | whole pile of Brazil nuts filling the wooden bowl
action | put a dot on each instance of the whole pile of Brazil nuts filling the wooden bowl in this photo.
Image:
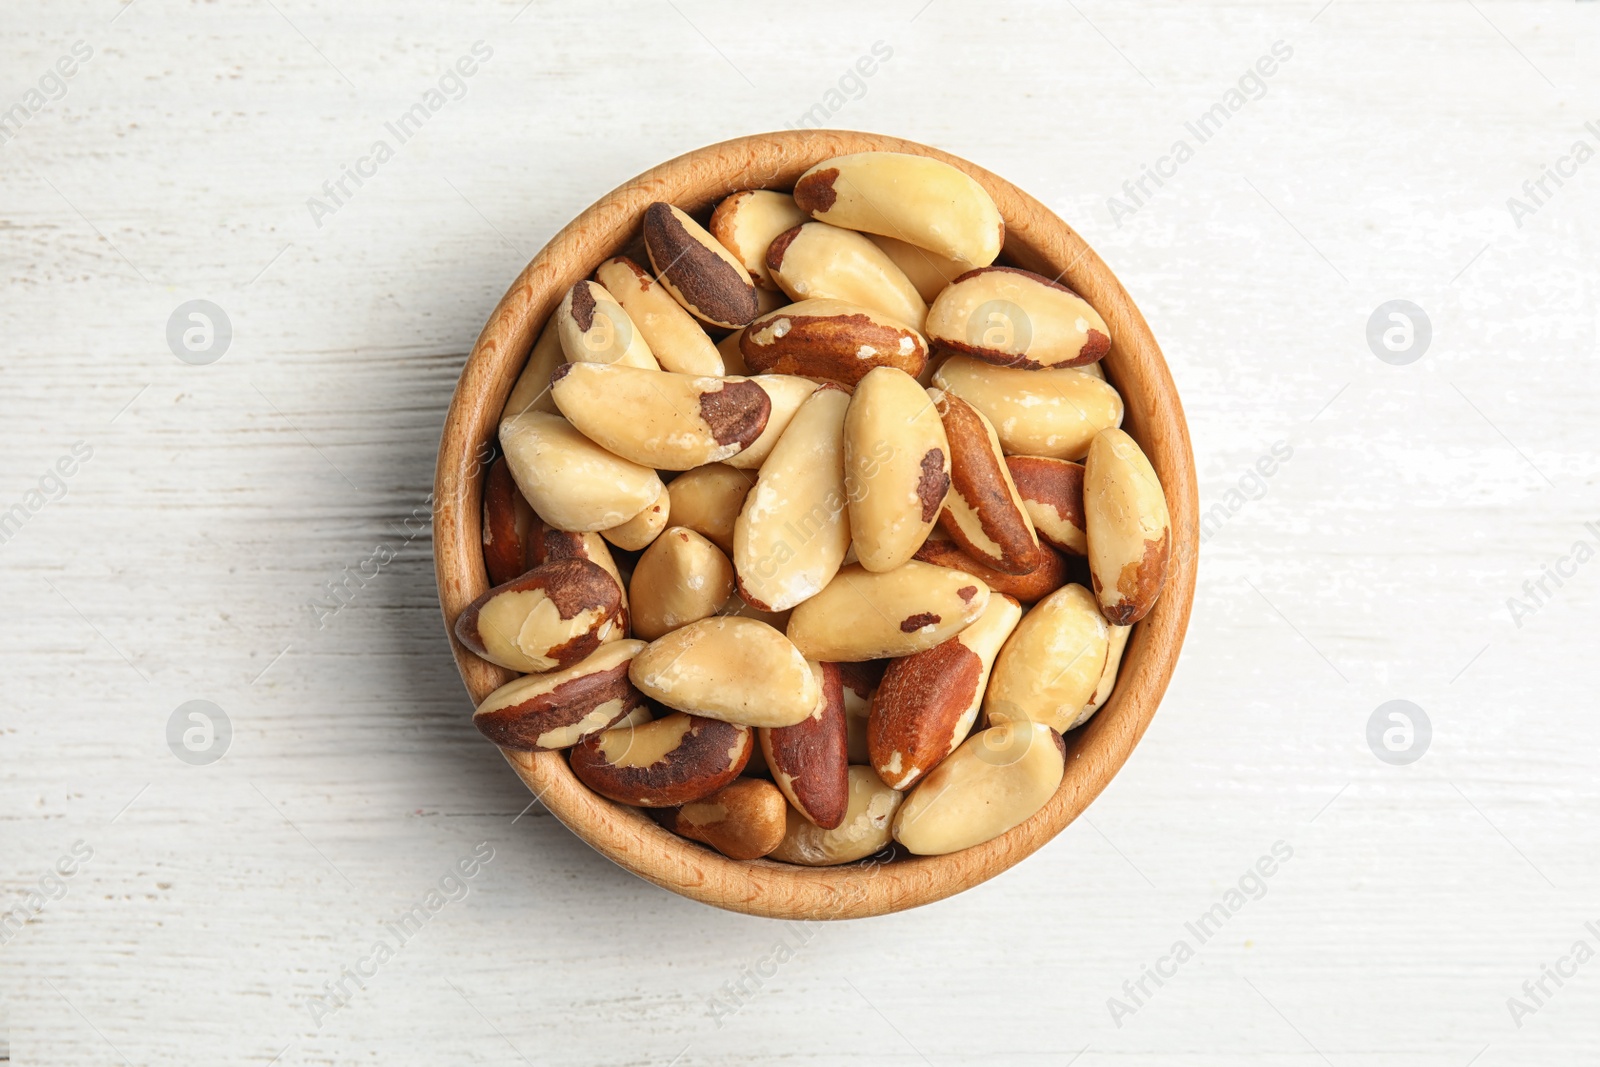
(785, 529)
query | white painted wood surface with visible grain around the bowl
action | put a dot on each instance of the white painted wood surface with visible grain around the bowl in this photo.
(220, 500)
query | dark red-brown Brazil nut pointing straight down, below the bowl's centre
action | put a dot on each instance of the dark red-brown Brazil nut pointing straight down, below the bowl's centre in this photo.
(810, 761)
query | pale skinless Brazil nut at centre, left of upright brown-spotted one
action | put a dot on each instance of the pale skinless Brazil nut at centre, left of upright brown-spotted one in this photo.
(794, 529)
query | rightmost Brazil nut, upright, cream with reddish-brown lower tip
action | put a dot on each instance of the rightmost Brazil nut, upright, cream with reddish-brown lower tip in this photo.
(1129, 527)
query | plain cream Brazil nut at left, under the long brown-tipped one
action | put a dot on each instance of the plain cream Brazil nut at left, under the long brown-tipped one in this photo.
(572, 482)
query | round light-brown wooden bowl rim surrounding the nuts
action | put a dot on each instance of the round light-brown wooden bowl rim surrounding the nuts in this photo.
(1036, 241)
